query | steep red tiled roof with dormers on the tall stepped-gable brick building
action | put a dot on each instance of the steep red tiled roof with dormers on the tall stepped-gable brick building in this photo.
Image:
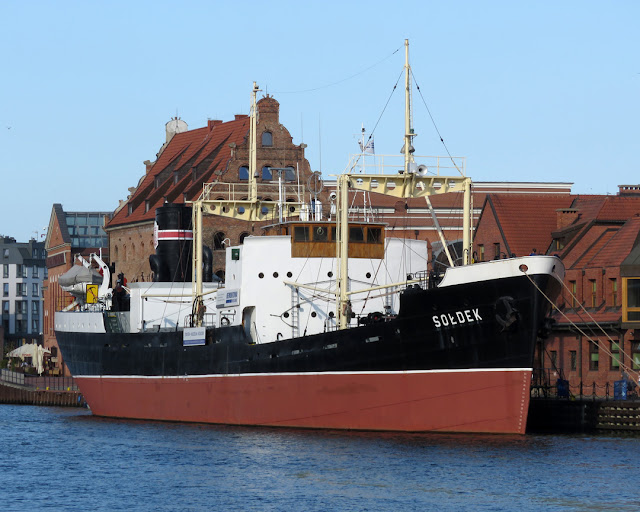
(188, 160)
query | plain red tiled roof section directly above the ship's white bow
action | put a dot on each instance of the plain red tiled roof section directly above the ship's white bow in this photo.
(527, 220)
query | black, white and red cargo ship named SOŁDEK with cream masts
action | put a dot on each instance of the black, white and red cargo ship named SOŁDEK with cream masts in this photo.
(319, 323)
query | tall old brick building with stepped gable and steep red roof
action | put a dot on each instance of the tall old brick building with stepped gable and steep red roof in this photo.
(217, 153)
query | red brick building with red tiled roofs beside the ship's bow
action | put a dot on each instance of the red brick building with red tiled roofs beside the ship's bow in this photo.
(597, 330)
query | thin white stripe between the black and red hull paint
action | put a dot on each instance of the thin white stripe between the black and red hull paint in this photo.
(299, 374)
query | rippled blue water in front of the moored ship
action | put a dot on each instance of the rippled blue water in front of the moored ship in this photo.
(66, 459)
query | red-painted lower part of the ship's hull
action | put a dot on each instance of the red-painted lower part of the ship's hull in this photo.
(478, 401)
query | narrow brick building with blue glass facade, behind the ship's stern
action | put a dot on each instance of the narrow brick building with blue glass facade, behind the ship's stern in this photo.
(69, 234)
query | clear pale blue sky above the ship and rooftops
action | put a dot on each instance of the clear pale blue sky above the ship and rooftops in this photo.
(543, 91)
